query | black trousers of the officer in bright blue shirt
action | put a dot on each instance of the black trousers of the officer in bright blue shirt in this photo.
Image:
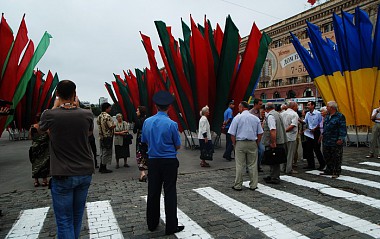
(162, 173)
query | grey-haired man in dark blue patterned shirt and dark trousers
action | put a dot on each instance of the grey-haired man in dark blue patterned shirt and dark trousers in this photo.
(334, 133)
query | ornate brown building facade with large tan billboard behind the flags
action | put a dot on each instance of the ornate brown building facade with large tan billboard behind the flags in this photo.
(283, 75)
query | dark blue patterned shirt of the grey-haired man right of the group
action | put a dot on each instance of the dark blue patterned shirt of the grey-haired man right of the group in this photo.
(334, 128)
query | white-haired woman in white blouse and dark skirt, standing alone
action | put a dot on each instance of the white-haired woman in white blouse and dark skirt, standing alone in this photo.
(204, 136)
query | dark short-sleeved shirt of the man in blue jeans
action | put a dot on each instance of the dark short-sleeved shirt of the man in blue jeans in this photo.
(70, 151)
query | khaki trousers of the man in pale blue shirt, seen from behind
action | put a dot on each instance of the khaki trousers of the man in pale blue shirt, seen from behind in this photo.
(246, 156)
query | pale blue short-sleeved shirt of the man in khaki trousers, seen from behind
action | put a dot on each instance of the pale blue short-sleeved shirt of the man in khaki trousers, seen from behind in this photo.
(246, 126)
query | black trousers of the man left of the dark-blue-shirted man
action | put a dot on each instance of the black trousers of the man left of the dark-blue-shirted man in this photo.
(312, 146)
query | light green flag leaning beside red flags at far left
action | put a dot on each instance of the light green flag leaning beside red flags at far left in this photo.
(21, 88)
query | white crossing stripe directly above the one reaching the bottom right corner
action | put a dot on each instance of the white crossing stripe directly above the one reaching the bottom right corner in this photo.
(326, 189)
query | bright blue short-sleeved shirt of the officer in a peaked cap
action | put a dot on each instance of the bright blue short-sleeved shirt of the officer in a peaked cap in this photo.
(161, 135)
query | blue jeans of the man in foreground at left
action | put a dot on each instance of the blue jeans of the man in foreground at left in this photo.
(69, 196)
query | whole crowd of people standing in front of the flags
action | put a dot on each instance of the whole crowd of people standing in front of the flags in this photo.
(68, 155)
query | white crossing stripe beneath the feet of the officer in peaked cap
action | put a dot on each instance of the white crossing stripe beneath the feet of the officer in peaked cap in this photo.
(192, 229)
